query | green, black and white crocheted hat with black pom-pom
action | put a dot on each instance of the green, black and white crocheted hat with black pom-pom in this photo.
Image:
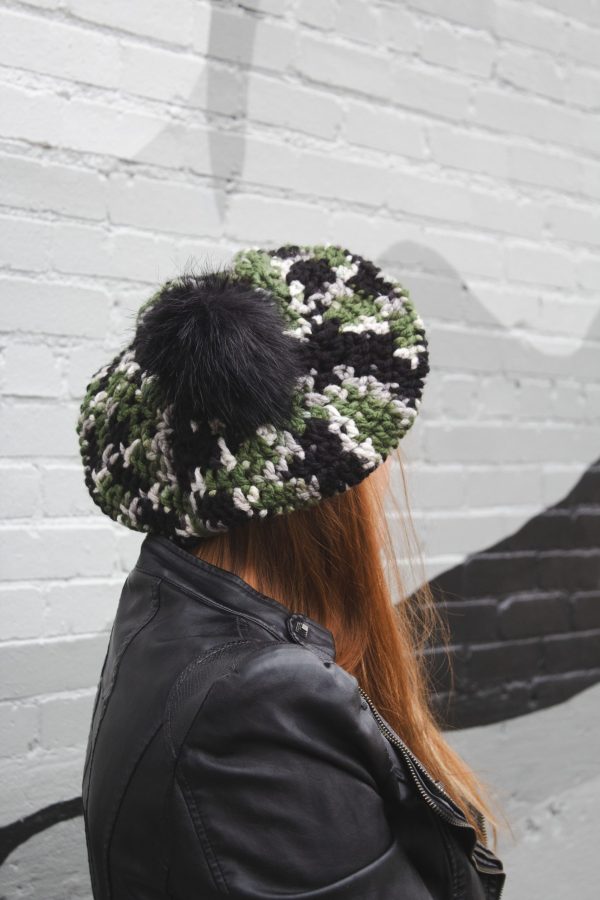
(253, 391)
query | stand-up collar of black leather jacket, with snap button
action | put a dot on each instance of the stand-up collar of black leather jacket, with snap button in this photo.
(162, 557)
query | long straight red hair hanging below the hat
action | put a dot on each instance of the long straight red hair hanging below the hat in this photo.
(329, 562)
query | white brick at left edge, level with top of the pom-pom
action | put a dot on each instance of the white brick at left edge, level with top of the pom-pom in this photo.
(43, 307)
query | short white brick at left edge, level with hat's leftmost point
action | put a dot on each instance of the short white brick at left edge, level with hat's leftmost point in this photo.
(23, 425)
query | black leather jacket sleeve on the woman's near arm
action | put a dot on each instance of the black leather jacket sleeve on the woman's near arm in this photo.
(284, 783)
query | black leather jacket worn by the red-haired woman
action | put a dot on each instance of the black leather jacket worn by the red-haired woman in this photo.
(230, 756)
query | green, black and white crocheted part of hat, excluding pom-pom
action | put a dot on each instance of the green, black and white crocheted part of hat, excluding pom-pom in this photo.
(364, 355)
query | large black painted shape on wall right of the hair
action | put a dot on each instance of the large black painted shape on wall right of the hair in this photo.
(524, 615)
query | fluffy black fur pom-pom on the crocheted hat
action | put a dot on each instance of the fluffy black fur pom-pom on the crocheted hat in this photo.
(218, 349)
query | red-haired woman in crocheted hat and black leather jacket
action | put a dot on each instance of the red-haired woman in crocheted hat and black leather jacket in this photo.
(262, 726)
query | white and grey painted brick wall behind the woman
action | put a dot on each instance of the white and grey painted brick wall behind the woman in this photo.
(457, 144)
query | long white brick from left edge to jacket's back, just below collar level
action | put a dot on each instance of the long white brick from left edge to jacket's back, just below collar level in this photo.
(34, 668)
